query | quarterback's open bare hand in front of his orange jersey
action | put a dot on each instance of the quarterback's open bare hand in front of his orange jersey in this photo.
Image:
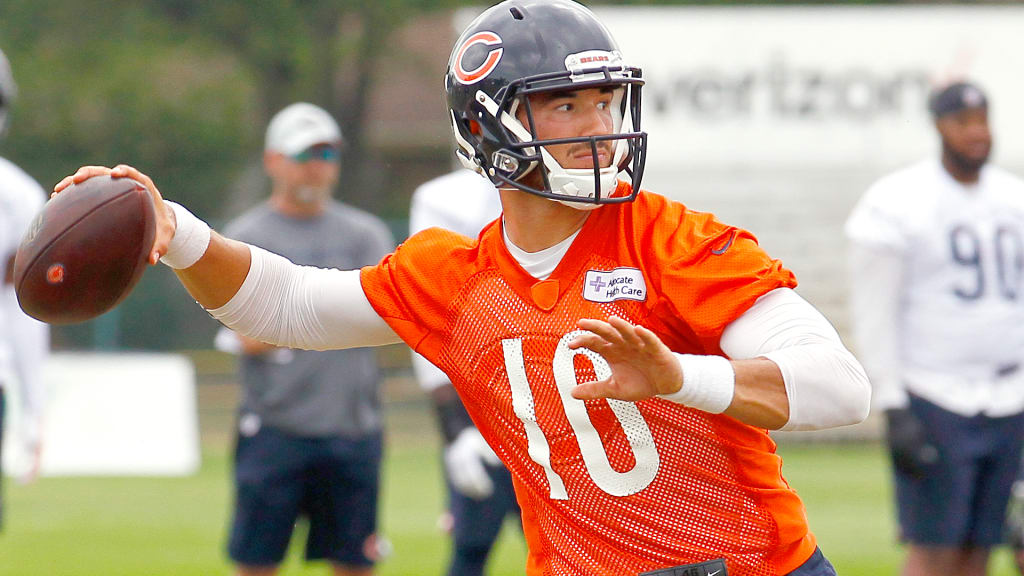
(642, 365)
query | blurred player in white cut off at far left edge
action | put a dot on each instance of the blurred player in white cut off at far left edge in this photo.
(24, 342)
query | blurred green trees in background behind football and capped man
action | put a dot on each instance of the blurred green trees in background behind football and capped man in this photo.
(183, 90)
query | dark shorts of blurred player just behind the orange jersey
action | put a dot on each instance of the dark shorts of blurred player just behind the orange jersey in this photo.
(477, 523)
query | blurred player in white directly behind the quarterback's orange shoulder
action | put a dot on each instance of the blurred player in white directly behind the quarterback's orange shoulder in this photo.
(480, 488)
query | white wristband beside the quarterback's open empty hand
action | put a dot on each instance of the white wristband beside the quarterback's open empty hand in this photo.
(709, 383)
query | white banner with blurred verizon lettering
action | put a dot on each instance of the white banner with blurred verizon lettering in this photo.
(815, 88)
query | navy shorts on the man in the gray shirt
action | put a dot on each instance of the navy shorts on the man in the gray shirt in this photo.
(333, 482)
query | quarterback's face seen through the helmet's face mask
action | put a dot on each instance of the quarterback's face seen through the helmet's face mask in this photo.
(574, 114)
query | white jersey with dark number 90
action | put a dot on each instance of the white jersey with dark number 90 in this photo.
(961, 323)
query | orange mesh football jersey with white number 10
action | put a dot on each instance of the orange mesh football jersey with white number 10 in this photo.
(607, 487)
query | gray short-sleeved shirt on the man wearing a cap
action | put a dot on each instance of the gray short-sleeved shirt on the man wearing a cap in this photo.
(307, 393)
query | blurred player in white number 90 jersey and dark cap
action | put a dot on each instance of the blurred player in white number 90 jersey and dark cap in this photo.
(937, 255)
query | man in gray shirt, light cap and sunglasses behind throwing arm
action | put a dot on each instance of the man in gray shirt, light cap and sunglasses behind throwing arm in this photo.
(310, 431)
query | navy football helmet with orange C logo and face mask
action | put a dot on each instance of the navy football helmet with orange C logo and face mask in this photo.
(524, 48)
